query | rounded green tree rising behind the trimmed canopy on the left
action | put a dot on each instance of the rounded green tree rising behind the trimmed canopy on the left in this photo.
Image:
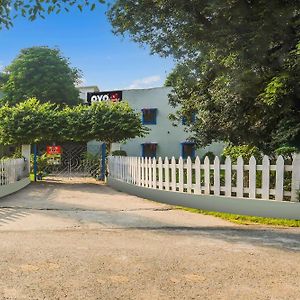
(42, 73)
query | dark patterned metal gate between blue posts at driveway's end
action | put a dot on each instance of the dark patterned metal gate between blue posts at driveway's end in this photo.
(76, 160)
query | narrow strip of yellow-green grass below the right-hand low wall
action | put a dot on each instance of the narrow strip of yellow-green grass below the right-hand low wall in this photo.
(245, 220)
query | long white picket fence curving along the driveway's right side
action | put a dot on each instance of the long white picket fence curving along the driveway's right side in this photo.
(279, 182)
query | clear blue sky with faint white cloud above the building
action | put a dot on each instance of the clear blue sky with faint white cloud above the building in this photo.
(106, 60)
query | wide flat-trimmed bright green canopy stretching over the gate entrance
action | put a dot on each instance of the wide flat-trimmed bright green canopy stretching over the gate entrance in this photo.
(33, 122)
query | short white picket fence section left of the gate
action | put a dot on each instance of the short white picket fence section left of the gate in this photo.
(12, 170)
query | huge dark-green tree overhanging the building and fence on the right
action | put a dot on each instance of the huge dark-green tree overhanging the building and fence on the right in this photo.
(238, 65)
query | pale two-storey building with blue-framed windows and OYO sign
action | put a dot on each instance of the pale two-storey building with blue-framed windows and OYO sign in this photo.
(164, 139)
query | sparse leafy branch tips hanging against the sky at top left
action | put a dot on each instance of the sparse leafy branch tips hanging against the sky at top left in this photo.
(10, 9)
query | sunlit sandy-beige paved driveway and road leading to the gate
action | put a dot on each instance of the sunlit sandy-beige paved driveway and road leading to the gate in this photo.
(83, 240)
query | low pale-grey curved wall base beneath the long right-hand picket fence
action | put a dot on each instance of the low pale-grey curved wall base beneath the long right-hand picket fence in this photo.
(241, 206)
